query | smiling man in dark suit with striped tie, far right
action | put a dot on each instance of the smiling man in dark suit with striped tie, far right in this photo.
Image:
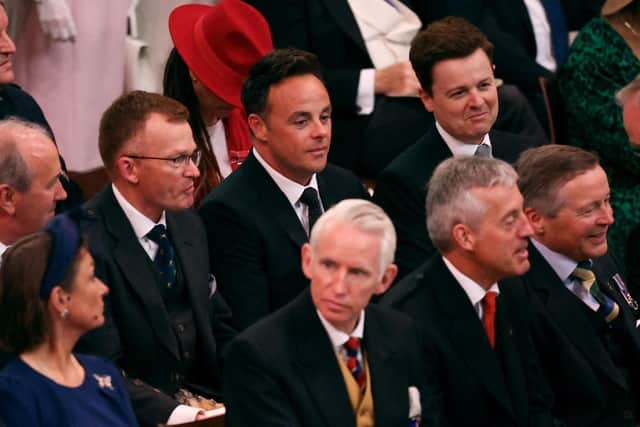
(583, 319)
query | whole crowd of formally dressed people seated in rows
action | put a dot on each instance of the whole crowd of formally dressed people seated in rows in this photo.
(228, 267)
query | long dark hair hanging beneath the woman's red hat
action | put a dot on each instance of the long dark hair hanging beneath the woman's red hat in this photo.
(178, 85)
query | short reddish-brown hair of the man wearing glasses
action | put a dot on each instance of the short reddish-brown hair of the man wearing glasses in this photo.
(128, 115)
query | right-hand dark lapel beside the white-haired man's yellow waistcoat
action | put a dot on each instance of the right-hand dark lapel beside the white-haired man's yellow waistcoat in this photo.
(383, 370)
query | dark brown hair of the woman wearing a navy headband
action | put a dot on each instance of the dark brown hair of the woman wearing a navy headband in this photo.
(24, 316)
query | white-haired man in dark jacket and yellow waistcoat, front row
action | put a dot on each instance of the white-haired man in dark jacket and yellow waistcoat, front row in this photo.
(327, 359)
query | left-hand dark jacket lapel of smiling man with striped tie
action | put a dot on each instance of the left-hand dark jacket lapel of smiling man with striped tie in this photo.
(562, 307)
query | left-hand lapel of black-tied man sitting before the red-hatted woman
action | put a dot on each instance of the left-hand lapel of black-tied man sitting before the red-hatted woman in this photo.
(274, 203)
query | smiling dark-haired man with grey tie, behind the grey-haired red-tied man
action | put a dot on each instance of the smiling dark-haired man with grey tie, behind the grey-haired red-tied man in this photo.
(452, 59)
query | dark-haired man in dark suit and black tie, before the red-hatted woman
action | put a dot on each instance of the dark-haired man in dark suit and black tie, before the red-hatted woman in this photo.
(259, 217)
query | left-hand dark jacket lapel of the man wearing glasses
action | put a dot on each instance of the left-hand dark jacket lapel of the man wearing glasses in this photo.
(130, 257)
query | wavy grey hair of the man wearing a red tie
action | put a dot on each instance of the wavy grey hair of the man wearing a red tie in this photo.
(449, 197)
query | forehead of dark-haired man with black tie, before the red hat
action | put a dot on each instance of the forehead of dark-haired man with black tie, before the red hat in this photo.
(297, 93)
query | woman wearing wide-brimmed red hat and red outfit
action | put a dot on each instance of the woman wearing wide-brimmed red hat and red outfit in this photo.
(215, 46)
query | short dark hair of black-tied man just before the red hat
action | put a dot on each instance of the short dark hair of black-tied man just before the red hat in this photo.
(271, 69)
